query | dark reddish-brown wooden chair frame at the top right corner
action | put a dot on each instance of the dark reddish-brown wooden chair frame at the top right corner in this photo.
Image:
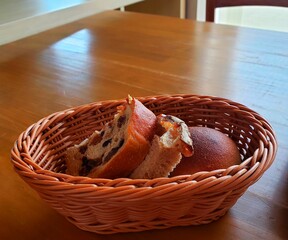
(211, 5)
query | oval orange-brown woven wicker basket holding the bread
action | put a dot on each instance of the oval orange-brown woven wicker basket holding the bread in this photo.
(128, 205)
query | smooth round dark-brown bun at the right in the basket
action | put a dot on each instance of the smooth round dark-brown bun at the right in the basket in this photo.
(212, 150)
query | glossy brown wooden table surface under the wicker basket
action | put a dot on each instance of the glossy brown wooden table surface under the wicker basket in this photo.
(111, 54)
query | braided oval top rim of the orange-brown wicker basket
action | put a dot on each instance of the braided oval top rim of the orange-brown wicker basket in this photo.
(67, 179)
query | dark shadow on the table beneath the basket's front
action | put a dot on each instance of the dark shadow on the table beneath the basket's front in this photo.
(52, 225)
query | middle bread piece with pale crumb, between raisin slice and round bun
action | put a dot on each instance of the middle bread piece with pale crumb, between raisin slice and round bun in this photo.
(172, 139)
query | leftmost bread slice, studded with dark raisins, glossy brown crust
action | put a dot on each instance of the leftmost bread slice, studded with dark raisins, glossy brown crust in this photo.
(118, 148)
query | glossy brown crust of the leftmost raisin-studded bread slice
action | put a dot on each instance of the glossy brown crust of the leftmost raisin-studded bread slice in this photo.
(140, 130)
